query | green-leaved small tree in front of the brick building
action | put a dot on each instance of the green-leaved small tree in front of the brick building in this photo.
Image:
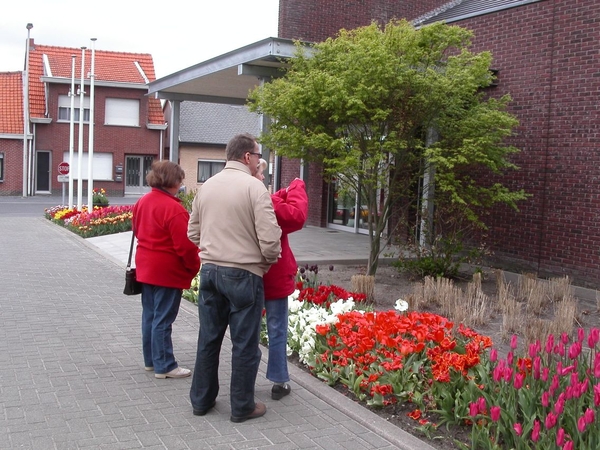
(365, 104)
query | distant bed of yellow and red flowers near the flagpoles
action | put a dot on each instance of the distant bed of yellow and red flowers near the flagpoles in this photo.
(96, 222)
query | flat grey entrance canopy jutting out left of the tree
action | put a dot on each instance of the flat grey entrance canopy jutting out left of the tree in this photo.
(227, 78)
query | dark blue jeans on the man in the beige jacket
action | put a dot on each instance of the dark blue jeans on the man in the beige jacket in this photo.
(234, 297)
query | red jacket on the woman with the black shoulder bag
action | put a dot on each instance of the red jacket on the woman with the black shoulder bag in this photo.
(164, 255)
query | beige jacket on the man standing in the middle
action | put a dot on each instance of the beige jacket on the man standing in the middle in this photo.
(233, 221)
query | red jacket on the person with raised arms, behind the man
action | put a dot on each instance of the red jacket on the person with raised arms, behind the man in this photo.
(291, 210)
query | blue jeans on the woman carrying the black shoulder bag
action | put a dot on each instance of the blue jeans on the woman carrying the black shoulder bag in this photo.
(160, 306)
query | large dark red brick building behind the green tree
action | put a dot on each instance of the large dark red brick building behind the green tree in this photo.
(547, 54)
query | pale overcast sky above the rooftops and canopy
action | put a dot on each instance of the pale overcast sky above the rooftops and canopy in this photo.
(177, 33)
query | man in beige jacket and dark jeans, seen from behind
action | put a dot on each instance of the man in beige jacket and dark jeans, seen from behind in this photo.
(234, 224)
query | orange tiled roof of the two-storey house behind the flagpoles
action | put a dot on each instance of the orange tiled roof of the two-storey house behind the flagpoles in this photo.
(108, 67)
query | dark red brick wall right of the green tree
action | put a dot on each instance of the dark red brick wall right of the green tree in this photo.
(547, 55)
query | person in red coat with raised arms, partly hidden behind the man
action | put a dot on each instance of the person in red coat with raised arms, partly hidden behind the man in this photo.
(291, 210)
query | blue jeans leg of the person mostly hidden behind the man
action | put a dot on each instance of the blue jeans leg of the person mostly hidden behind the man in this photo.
(277, 327)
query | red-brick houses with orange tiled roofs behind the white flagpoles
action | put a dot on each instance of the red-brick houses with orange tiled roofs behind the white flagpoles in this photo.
(128, 131)
